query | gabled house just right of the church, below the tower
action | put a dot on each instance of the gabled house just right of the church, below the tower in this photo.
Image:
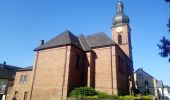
(145, 83)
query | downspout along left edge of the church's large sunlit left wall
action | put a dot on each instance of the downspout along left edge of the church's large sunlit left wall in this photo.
(35, 68)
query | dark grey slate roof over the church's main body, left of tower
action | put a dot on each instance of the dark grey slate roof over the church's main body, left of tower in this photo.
(85, 43)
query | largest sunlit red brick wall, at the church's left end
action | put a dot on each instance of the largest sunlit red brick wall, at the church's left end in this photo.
(51, 75)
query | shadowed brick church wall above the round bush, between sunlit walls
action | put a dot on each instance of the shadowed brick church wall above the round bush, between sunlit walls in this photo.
(77, 74)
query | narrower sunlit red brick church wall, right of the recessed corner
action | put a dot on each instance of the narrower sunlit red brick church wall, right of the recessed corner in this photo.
(103, 76)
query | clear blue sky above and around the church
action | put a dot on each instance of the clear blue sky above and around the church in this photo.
(24, 22)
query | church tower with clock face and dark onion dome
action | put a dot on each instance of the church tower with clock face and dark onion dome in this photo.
(121, 32)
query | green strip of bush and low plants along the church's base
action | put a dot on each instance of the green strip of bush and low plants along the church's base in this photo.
(90, 93)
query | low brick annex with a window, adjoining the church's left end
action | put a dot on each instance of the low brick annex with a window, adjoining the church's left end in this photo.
(22, 84)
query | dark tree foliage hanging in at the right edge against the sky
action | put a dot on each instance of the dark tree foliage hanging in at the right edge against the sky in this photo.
(164, 45)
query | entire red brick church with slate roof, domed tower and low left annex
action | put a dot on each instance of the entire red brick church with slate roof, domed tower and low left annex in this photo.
(68, 61)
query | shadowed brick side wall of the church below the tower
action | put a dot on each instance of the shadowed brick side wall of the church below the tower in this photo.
(123, 77)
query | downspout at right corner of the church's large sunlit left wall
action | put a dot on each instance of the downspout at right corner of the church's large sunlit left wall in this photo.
(64, 74)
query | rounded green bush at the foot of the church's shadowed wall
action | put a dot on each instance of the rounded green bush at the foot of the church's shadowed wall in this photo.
(83, 91)
